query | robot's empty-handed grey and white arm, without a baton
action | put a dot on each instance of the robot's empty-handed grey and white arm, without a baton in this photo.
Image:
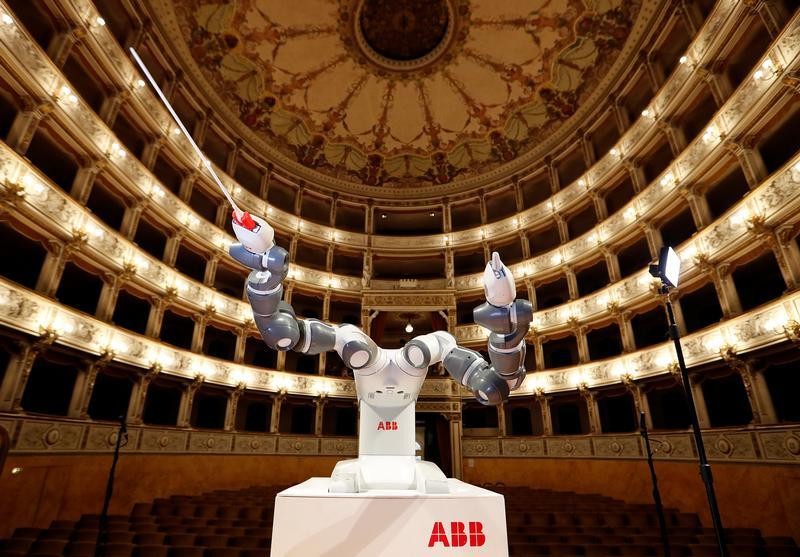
(508, 320)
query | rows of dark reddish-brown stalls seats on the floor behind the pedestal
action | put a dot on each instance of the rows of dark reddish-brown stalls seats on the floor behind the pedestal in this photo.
(239, 524)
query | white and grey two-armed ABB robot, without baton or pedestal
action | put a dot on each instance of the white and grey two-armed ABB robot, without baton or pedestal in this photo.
(388, 381)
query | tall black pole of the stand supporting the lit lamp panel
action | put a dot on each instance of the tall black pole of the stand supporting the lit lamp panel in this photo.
(705, 467)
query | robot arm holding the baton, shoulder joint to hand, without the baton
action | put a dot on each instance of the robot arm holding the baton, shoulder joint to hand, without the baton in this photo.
(276, 320)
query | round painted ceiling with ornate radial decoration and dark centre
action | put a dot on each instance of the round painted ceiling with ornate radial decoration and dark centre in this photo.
(403, 92)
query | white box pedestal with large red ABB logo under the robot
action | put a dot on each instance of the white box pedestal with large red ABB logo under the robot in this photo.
(310, 522)
